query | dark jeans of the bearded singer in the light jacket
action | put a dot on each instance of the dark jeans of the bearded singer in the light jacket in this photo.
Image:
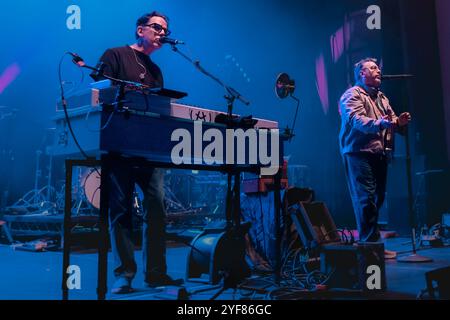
(366, 178)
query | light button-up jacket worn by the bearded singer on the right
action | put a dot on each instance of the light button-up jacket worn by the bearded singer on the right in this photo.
(361, 129)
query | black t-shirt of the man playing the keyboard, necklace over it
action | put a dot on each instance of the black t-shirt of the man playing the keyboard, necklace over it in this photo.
(125, 63)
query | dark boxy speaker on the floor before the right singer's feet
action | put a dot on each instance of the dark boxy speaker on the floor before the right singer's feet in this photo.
(357, 267)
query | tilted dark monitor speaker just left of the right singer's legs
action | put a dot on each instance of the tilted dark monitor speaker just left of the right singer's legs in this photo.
(314, 224)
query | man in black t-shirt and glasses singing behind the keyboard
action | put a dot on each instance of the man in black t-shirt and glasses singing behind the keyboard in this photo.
(133, 63)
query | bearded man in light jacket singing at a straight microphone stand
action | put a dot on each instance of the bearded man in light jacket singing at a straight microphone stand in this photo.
(366, 141)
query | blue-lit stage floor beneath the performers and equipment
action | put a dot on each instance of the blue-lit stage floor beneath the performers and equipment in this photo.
(37, 276)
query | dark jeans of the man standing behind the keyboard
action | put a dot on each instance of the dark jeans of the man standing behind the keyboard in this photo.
(122, 183)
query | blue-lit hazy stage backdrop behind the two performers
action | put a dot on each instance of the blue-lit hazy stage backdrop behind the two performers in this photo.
(247, 44)
